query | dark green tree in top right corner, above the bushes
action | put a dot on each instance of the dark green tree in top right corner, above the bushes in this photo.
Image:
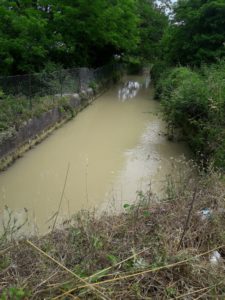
(197, 32)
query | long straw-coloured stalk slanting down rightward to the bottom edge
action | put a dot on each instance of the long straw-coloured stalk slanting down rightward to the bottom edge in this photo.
(69, 271)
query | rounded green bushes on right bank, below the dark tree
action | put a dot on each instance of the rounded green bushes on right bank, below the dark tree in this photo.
(194, 101)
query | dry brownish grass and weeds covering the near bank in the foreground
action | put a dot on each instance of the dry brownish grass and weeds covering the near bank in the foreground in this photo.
(153, 250)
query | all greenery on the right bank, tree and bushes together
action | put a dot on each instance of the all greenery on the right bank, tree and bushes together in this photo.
(190, 77)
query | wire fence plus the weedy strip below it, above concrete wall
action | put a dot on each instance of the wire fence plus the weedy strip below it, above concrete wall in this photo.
(23, 97)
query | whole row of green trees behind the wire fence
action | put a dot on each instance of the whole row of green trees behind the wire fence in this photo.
(40, 34)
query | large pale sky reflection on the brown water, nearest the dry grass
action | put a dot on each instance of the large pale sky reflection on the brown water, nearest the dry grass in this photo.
(146, 166)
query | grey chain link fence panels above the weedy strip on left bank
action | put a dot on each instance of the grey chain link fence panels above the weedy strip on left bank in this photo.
(59, 83)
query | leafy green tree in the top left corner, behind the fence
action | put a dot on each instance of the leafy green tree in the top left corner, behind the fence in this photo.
(22, 38)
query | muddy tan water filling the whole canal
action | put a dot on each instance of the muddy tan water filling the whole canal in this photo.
(113, 148)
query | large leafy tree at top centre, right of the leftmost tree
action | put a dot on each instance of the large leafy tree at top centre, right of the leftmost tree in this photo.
(92, 31)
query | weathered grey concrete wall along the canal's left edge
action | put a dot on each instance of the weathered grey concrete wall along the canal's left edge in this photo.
(36, 129)
